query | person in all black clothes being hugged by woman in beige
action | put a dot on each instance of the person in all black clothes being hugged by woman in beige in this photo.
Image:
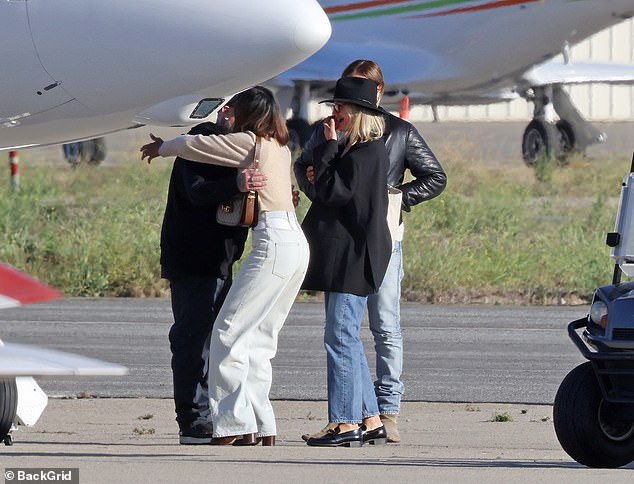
(197, 255)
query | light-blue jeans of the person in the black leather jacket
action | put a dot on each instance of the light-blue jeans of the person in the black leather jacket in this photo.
(384, 312)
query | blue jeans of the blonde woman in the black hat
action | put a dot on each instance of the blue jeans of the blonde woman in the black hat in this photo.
(350, 391)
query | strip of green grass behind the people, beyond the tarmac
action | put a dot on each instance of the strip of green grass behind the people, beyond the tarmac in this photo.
(498, 234)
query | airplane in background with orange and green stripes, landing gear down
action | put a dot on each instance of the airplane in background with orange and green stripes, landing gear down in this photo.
(464, 52)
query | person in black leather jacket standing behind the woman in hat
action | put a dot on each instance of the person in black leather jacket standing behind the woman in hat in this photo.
(407, 150)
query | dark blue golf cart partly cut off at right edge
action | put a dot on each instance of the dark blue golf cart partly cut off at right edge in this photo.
(593, 412)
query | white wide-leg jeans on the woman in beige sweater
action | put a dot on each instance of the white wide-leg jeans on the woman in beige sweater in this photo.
(244, 336)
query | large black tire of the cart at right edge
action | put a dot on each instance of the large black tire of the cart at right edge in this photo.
(585, 424)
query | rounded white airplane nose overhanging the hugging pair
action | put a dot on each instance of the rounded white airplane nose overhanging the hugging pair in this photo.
(91, 65)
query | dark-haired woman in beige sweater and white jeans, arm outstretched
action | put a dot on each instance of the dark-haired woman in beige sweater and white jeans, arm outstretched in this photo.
(244, 337)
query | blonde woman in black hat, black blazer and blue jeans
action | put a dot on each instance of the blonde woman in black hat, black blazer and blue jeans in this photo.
(350, 248)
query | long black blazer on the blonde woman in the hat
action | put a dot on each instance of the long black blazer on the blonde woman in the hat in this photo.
(346, 227)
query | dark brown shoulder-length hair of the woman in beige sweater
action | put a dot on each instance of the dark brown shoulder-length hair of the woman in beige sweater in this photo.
(256, 110)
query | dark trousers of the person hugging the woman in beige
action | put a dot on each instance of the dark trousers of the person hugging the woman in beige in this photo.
(196, 301)
